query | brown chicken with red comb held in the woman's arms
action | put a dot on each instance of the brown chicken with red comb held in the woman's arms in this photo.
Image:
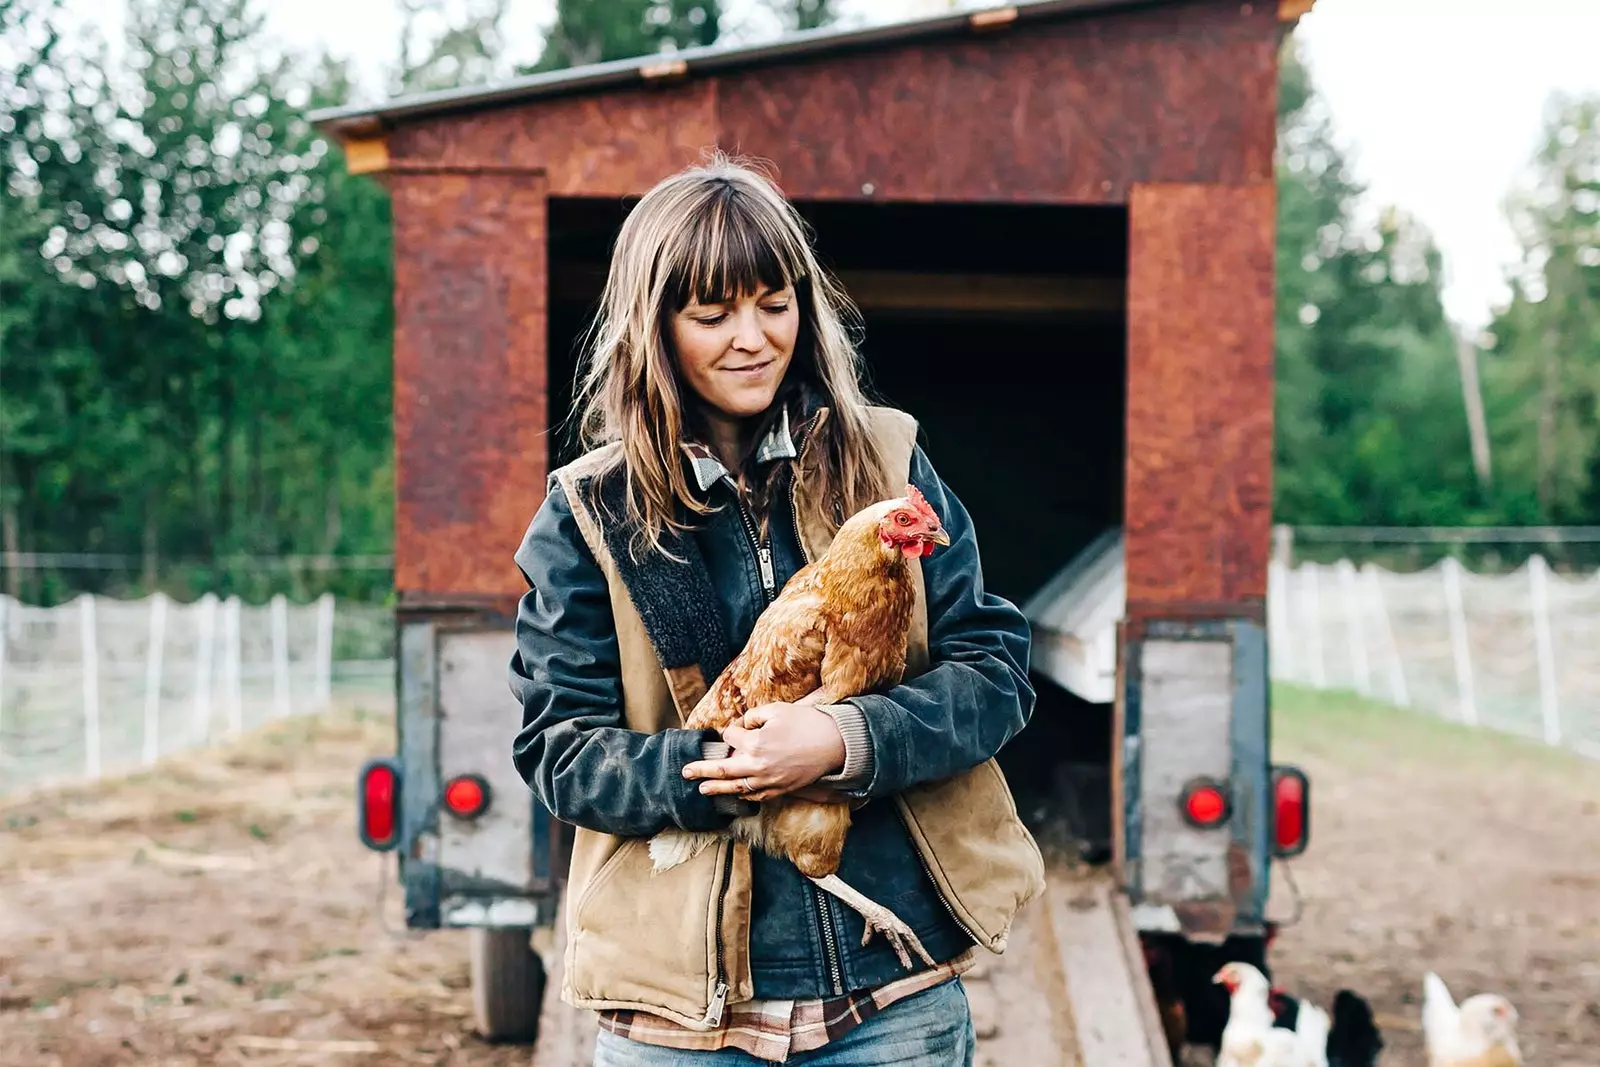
(838, 629)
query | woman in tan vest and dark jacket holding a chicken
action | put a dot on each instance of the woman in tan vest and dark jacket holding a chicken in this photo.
(730, 441)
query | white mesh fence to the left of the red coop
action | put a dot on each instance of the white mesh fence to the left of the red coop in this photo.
(102, 685)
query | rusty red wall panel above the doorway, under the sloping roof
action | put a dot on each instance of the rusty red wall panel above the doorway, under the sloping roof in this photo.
(1076, 111)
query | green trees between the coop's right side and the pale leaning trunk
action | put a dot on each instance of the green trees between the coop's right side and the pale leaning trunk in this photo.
(1370, 418)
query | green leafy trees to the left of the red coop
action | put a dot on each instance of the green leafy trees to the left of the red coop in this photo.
(196, 329)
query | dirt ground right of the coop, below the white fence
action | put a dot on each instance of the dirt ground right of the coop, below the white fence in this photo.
(1449, 850)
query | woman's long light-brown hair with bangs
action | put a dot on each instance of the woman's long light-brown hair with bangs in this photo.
(711, 234)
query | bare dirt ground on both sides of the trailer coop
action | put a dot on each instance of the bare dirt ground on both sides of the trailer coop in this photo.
(220, 909)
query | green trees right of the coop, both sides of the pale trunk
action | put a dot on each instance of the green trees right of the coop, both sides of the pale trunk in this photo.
(1372, 415)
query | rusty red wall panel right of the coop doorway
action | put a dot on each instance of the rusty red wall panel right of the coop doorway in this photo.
(1199, 492)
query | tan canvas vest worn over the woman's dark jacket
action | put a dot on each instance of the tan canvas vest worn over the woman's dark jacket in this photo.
(663, 943)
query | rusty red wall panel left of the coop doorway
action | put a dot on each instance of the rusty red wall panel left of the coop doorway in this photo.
(470, 378)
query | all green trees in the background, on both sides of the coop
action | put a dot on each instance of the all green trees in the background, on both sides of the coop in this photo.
(196, 303)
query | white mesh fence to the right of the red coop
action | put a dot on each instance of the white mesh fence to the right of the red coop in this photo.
(1514, 652)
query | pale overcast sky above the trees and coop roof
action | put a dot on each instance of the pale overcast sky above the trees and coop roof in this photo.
(1441, 102)
